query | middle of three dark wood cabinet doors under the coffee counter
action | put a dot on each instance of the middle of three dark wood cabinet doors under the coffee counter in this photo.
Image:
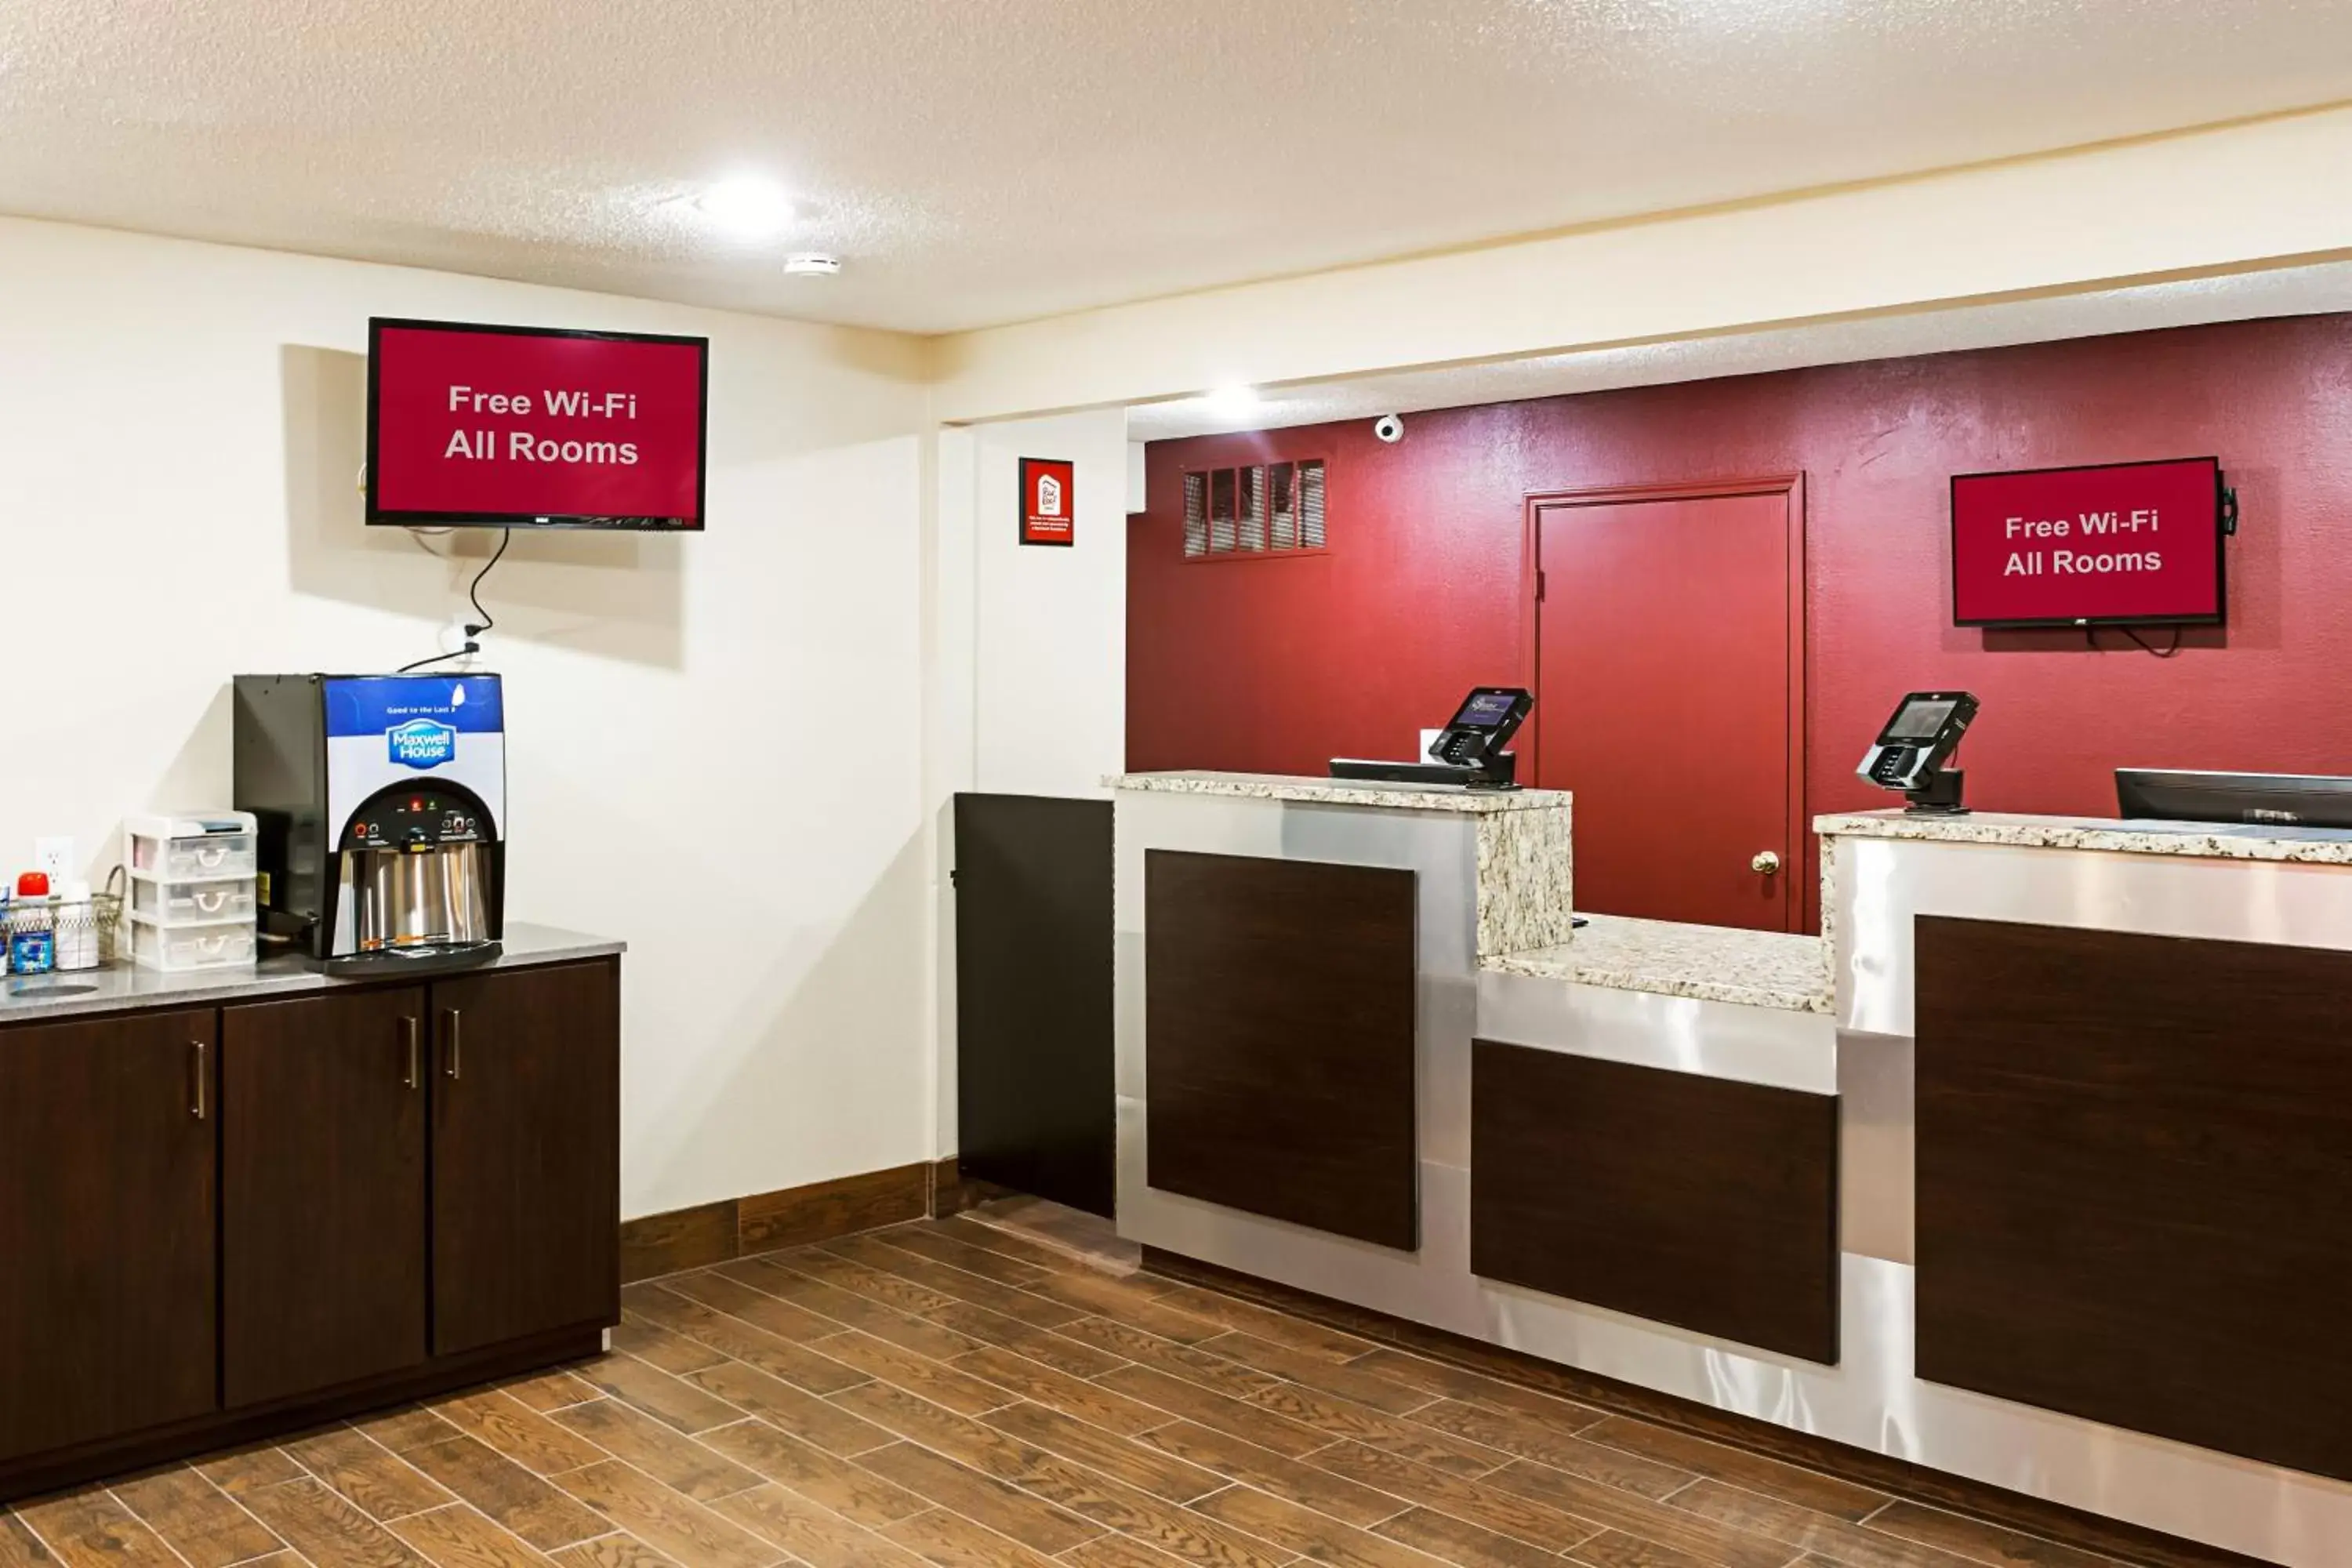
(323, 1191)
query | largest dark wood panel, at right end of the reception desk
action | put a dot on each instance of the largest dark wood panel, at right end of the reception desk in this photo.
(2134, 1181)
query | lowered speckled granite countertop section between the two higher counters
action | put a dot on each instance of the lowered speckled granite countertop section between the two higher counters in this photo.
(1673, 960)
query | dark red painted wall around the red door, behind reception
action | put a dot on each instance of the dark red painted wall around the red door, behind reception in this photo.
(1283, 664)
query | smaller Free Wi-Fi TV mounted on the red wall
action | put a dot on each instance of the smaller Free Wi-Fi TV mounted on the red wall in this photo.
(2113, 544)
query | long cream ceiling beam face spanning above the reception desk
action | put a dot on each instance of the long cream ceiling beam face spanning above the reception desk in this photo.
(2240, 196)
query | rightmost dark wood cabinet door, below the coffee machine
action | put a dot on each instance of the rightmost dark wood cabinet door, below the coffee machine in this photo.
(526, 1153)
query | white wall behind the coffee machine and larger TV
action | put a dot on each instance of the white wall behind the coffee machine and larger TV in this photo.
(180, 438)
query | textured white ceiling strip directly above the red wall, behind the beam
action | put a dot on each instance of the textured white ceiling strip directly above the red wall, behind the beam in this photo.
(2308, 290)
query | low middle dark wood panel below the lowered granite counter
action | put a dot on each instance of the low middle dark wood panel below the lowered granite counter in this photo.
(1669, 1195)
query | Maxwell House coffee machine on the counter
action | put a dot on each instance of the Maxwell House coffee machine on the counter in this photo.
(380, 805)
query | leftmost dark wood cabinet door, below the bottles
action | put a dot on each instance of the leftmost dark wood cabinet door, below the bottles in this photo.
(107, 1228)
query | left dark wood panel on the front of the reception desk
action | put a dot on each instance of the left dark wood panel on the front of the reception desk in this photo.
(1278, 1010)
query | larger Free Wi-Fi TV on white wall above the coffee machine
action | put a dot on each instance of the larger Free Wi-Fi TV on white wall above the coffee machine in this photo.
(535, 429)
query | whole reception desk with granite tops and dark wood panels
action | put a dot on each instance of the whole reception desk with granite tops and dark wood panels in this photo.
(2031, 1170)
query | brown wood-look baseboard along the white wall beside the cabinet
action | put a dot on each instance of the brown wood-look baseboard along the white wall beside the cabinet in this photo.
(796, 1217)
